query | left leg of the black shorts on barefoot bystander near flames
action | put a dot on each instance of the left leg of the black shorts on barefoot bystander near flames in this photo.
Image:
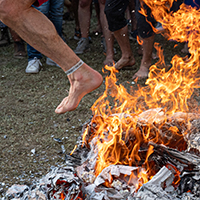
(115, 14)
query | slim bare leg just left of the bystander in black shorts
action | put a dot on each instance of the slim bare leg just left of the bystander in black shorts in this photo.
(108, 36)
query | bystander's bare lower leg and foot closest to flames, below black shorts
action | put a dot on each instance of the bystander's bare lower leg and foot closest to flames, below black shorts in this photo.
(146, 58)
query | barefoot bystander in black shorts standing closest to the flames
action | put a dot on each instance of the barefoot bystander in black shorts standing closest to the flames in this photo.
(118, 25)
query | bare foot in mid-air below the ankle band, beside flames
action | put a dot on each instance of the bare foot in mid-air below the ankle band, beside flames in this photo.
(83, 81)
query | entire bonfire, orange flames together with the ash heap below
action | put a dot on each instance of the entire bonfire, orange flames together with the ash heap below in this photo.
(141, 146)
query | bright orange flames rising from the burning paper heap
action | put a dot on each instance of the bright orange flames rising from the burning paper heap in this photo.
(116, 114)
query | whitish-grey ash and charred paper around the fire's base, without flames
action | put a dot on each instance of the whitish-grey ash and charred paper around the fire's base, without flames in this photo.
(83, 164)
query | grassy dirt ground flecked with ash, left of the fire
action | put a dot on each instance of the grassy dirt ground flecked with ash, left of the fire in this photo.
(31, 134)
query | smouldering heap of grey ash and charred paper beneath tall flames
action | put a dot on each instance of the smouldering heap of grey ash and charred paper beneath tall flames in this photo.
(171, 171)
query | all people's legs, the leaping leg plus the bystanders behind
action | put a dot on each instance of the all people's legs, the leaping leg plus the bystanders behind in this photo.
(39, 23)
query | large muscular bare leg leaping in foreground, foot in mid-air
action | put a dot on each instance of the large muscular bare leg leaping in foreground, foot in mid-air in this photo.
(39, 32)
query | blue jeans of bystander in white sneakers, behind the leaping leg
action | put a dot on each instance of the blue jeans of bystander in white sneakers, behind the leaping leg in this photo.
(53, 9)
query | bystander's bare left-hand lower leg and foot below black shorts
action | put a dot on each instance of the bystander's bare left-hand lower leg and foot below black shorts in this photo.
(127, 58)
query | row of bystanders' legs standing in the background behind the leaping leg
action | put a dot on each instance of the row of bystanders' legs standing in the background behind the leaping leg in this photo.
(112, 18)
